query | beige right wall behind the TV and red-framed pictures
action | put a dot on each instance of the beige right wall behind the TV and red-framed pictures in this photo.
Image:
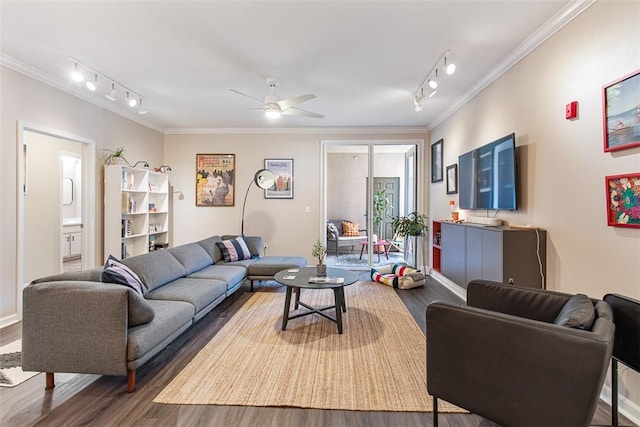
(563, 165)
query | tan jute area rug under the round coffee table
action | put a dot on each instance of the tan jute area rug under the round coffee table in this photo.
(377, 364)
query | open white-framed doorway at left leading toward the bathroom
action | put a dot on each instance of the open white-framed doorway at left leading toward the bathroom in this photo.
(44, 200)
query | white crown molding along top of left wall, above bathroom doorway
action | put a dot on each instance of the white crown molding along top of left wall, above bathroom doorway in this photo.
(42, 77)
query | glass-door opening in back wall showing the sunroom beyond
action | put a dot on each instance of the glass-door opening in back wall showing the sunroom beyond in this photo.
(347, 189)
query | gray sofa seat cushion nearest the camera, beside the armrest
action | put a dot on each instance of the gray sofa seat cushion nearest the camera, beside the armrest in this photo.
(171, 317)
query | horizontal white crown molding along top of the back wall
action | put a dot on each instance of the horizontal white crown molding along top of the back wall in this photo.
(296, 131)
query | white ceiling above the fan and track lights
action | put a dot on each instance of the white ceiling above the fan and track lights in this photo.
(364, 60)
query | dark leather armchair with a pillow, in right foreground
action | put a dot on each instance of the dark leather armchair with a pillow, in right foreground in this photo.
(511, 357)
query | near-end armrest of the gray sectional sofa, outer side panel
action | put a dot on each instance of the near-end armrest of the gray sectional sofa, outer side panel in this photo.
(78, 327)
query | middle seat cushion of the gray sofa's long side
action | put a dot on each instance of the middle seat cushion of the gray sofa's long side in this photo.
(199, 292)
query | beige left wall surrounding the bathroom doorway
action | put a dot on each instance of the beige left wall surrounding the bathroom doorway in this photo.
(30, 101)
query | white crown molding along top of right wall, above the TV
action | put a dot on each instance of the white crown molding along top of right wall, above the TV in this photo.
(548, 29)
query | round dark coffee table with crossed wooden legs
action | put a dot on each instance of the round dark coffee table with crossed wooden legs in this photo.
(300, 278)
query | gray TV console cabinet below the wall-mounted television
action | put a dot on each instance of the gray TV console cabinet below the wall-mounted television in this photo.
(501, 254)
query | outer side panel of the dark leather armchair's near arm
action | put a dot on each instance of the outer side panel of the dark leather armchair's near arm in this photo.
(510, 369)
